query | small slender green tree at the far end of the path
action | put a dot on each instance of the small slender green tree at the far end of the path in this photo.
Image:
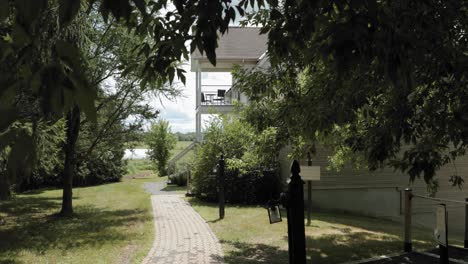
(160, 141)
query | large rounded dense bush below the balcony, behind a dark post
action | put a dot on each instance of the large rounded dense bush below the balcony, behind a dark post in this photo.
(251, 162)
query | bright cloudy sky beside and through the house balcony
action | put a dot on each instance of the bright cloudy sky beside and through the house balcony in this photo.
(181, 112)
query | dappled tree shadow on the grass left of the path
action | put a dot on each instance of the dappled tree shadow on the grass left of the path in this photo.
(31, 227)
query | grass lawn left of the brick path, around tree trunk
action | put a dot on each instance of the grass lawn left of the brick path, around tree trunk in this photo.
(113, 223)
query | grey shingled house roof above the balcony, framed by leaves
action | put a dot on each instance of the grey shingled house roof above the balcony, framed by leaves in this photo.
(239, 43)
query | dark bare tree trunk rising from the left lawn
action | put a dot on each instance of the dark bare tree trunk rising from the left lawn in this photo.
(69, 168)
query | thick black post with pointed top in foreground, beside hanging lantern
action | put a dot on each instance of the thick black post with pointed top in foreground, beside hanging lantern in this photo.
(295, 206)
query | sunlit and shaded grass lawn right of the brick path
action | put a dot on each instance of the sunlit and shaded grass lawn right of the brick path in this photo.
(248, 237)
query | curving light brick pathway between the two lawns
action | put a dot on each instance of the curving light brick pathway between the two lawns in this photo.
(181, 235)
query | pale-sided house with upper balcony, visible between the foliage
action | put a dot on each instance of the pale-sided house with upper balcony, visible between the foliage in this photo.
(378, 193)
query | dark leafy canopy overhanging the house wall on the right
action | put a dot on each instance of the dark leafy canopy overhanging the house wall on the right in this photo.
(387, 78)
